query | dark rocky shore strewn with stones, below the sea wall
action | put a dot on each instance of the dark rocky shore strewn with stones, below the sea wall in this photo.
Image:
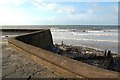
(90, 56)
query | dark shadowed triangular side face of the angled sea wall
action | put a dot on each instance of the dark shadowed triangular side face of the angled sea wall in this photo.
(42, 39)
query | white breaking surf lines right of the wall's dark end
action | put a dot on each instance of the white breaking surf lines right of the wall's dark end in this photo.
(91, 35)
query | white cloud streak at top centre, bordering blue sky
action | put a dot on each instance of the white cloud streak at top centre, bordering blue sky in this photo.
(55, 7)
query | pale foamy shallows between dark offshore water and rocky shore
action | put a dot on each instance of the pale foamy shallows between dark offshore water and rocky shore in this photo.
(104, 39)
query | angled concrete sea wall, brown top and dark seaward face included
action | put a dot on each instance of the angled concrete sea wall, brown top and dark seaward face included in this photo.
(35, 43)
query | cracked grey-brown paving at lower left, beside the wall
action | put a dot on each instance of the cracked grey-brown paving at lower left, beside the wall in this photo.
(17, 65)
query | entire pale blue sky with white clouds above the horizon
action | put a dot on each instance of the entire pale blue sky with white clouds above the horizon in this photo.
(37, 12)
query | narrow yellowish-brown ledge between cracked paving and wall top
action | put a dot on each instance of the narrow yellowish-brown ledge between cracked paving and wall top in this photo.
(47, 64)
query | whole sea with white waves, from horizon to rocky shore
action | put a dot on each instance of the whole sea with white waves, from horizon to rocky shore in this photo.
(102, 37)
